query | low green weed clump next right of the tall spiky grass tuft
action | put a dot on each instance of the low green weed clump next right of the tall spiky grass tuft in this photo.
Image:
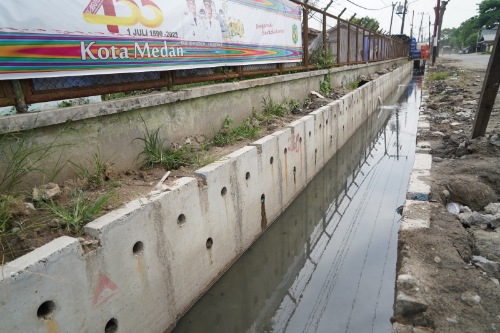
(227, 135)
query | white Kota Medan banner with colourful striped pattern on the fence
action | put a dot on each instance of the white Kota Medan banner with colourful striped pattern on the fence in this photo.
(50, 38)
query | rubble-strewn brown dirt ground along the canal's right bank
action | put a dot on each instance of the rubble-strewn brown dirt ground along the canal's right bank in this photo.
(450, 271)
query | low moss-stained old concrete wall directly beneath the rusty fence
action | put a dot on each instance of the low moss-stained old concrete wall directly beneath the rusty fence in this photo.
(111, 128)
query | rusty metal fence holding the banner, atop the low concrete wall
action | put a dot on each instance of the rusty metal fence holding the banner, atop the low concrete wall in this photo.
(343, 42)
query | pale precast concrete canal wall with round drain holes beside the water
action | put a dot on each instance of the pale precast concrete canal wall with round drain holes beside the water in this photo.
(157, 255)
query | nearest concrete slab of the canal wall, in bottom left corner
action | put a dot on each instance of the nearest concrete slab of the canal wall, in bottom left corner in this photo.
(43, 288)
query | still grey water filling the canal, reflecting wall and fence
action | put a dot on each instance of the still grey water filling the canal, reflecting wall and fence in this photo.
(328, 263)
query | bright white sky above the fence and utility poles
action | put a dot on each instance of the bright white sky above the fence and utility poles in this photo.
(456, 12)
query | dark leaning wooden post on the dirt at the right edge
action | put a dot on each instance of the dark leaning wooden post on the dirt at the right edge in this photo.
(489, 92)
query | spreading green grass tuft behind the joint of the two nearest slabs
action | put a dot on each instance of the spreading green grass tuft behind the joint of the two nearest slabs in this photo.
(81, 211)
